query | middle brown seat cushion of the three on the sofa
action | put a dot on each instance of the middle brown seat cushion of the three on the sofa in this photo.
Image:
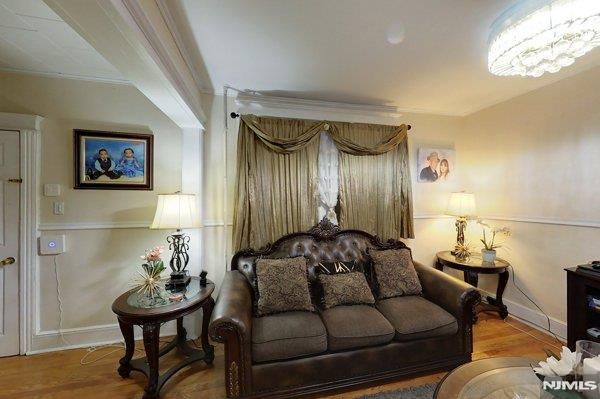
(356, 326)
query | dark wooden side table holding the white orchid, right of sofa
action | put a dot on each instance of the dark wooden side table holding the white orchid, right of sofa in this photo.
(472, 267)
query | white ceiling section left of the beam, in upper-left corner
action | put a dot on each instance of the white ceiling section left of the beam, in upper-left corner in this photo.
(34, 39)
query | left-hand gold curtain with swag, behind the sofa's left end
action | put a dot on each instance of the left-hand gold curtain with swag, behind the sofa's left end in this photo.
(276, 180)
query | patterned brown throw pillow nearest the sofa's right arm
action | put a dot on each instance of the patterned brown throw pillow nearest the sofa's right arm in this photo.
(395, 273)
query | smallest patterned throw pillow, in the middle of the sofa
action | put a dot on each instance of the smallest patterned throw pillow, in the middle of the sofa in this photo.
(345, 289)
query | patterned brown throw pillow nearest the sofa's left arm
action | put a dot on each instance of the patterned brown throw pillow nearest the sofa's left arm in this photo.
(282, 285)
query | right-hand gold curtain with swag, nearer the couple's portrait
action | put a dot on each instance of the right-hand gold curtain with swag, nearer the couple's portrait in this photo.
(375, 190)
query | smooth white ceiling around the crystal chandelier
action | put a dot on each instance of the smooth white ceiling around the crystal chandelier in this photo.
(337, 50)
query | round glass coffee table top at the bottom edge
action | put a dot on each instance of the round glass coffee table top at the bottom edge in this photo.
(505, 383)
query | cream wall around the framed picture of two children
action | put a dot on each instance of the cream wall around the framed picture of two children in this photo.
(99, 262)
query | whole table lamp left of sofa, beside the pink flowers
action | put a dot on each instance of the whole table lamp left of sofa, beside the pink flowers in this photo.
(177, 211)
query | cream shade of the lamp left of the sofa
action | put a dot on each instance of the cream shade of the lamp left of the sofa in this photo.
(176, 211)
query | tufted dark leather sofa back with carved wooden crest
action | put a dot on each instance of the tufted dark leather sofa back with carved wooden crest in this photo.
(322, 243)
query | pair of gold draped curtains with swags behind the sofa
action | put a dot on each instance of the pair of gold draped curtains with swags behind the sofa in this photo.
(277, 186)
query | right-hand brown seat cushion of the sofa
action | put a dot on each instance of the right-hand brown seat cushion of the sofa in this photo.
(414, 317)
